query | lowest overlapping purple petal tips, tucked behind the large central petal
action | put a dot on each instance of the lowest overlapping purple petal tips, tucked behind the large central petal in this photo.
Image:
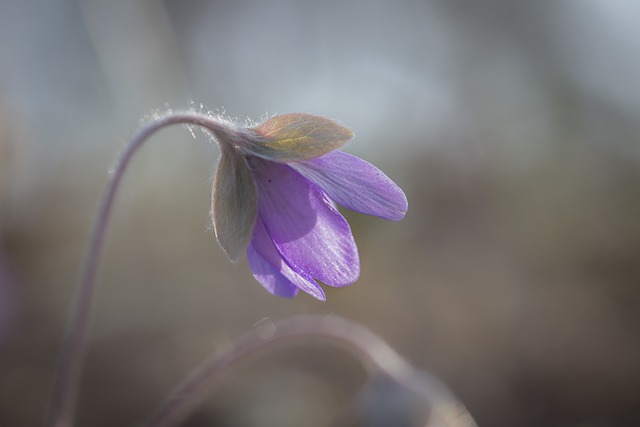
(273, 273)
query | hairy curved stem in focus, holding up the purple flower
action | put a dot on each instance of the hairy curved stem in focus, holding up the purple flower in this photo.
(70, 363)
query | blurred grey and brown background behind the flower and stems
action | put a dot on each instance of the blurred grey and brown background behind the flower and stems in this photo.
(513, 127)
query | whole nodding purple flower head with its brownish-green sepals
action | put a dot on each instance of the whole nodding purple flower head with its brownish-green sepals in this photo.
(274, 194)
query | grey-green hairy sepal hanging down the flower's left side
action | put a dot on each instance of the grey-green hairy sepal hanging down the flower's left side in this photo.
(234, 203)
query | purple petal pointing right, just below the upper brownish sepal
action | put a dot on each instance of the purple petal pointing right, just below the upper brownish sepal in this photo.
(355, 184)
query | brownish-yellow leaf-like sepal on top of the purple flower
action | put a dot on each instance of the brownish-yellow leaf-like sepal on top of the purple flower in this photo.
(295, 137)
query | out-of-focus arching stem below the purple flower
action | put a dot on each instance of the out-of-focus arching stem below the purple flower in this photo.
(444, 410)
